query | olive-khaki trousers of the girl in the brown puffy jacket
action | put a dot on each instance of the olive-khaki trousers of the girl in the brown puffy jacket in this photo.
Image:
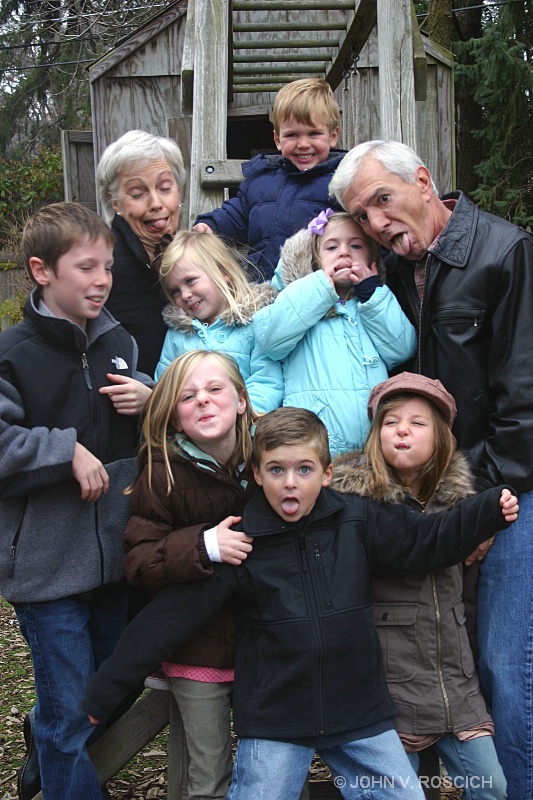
(205, 710)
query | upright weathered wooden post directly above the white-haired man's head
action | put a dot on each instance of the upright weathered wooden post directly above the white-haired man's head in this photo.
(396, 81)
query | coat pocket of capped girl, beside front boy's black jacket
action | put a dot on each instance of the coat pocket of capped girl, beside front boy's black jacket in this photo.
(396, 627)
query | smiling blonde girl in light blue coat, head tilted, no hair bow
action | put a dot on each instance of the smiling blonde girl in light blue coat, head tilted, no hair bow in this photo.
(211, 308)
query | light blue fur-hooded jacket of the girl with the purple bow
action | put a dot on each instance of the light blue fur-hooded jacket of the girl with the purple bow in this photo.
(332, 354)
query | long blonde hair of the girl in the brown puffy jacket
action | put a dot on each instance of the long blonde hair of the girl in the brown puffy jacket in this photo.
(160, 424)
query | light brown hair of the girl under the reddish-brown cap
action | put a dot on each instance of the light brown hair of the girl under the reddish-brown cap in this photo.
(383, 476)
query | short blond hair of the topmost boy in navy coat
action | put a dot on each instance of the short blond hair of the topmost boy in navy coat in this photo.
(308, 101)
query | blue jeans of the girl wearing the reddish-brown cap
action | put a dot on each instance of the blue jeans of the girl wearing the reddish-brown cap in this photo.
(472, 766)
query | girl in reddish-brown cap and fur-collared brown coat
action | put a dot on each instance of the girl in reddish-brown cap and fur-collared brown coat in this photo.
(409, 457)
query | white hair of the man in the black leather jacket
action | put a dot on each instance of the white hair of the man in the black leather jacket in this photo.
(395, 157)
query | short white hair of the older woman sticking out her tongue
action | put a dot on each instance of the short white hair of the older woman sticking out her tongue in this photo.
(134, 149)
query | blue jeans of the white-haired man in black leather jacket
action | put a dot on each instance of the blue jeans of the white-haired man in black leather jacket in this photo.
(505, 634)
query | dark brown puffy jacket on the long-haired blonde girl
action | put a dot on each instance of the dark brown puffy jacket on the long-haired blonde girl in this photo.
(164, 541)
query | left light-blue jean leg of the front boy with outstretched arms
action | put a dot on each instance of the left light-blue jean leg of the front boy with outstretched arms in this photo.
(269, 770)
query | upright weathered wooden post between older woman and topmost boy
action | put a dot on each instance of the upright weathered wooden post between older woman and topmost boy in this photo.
(210, 93)
